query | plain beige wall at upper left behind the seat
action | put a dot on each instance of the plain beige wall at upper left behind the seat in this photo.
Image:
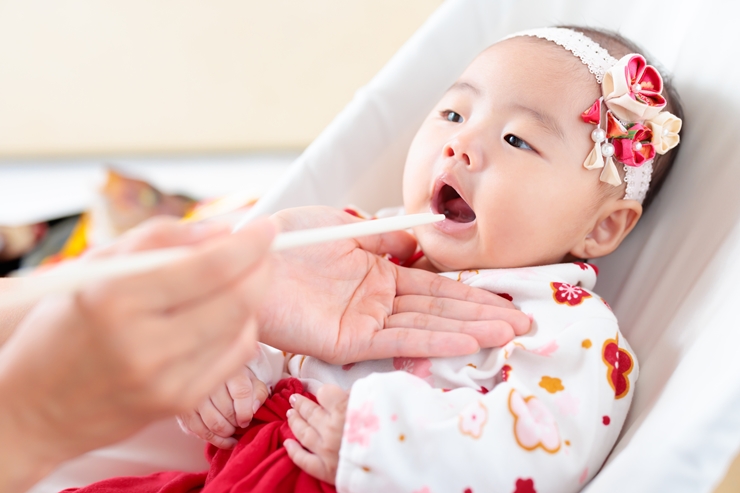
(138, 76)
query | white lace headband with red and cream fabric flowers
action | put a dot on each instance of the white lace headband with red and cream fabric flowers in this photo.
(631, 126)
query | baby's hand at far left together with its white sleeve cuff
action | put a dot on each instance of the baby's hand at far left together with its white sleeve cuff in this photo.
(234, 402)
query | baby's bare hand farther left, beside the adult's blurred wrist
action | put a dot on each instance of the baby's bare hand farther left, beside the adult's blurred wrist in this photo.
(230, 406)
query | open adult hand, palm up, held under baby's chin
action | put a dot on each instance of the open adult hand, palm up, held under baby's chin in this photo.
(342, 303)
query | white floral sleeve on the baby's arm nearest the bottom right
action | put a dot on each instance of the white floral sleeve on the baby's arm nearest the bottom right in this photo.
(547, 427)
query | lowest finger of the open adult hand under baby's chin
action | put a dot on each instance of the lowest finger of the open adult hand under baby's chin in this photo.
(389, 343)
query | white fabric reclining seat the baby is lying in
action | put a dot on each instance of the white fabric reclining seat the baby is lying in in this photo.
(673, 283)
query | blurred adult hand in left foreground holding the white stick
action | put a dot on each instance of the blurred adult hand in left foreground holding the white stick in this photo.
(85, 370)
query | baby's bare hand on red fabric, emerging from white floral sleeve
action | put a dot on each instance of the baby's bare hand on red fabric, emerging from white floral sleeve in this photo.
(319, 429)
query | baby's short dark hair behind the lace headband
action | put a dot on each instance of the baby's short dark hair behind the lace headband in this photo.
(618, 46)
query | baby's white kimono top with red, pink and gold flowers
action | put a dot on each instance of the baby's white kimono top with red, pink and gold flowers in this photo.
(537, 415)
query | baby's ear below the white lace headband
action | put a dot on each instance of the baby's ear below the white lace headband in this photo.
(615, 221)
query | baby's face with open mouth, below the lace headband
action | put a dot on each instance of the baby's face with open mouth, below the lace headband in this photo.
(501, 155)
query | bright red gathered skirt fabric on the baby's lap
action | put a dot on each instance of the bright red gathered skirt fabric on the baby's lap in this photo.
(258, 463)
